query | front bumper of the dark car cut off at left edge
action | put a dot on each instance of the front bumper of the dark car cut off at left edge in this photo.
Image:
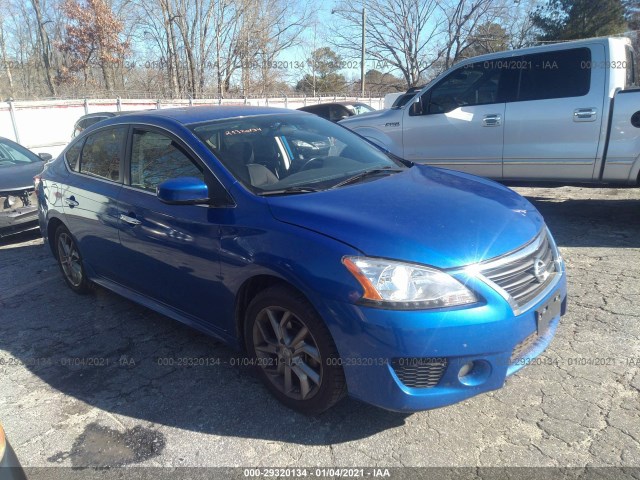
(18, 212)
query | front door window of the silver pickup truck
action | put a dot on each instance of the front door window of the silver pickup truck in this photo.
(472, 84)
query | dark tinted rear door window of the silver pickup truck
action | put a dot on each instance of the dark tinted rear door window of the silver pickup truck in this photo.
(558, 74)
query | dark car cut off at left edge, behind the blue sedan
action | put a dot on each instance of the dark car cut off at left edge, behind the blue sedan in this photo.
(18, 203)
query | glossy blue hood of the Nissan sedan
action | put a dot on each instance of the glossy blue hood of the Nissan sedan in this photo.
(425, 215)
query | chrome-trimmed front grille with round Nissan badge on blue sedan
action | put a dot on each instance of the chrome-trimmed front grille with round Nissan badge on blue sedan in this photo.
(525, 273)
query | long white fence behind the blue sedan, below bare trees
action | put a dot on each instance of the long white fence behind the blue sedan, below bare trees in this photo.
(46, 126)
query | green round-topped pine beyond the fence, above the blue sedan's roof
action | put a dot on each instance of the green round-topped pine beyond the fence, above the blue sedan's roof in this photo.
(324, 77)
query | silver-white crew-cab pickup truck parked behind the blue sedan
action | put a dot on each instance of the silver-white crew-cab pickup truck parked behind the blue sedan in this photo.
(563, 112)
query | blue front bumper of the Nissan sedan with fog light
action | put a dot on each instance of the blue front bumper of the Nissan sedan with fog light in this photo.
(498, 341)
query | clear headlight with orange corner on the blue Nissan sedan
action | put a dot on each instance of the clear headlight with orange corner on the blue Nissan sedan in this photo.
(404, 285)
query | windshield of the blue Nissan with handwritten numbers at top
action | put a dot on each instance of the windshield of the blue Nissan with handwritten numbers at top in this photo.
(292, 153)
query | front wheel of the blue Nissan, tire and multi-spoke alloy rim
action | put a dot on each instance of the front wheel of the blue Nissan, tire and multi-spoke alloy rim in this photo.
(293, 352)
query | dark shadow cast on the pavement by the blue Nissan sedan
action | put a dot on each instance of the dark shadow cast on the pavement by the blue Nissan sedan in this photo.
(101, 350)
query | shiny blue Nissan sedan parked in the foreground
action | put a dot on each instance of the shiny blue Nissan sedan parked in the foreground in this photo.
(337, 268)
